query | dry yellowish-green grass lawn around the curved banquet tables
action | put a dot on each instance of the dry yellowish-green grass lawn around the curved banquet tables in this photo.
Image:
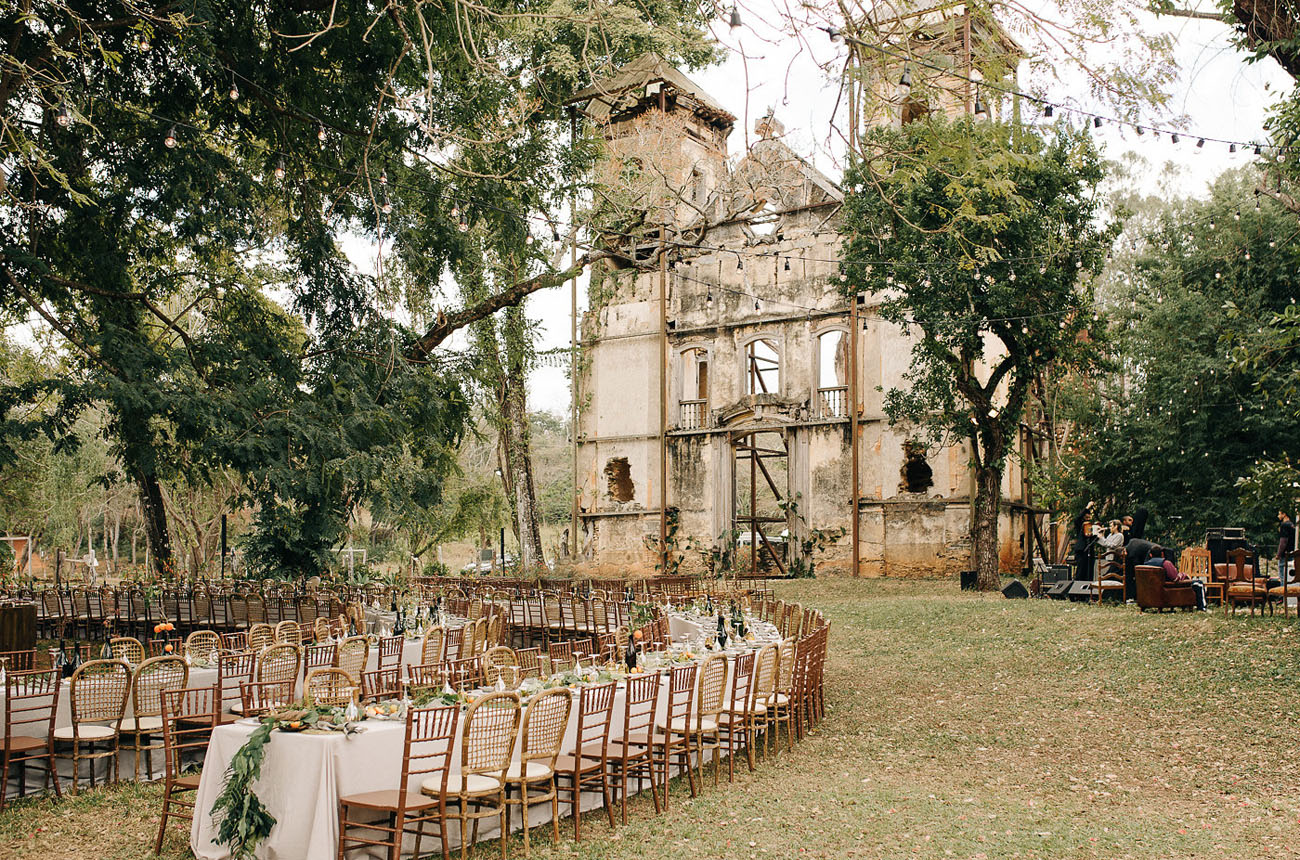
(959, 727)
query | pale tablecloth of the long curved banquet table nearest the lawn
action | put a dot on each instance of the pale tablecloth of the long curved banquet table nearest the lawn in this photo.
(304, 776)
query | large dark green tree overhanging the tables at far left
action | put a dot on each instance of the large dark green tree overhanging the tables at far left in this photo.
(161, 166)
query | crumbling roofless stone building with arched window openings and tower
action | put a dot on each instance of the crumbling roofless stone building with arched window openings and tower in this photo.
(722, 367)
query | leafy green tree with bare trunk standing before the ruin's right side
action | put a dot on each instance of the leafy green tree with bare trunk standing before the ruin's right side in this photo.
(989, 238)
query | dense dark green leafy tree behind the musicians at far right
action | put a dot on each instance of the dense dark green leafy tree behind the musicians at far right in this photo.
(1199, 412)
